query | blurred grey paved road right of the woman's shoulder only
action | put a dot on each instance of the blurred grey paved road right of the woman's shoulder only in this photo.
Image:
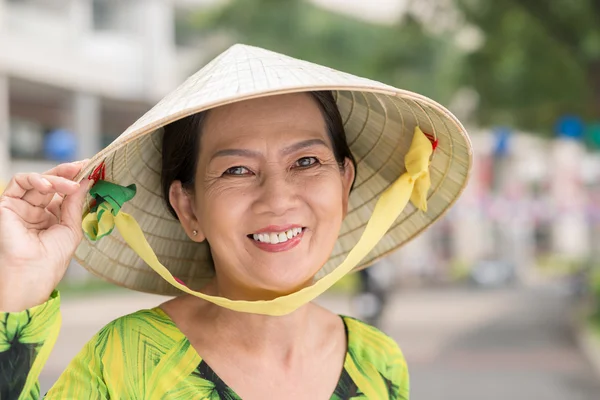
(493, 346)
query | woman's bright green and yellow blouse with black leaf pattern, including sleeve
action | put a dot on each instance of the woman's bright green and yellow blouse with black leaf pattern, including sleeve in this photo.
(145, 356)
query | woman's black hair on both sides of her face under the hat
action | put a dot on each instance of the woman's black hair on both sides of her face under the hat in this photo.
(181, 144)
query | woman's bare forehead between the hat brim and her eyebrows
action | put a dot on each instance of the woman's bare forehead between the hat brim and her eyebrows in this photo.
(273, 115)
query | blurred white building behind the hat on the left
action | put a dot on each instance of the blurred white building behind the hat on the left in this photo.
(74, 74)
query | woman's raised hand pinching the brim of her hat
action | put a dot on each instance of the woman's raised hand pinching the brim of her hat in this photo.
(40, 229)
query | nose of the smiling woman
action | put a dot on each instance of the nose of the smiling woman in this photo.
(278, 194)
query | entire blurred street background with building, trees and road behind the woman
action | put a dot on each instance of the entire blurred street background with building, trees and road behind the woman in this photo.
(501, 299)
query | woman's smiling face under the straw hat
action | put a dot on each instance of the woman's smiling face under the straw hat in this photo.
(269, 194)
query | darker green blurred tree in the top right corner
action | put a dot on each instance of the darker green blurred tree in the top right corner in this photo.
(539, 60)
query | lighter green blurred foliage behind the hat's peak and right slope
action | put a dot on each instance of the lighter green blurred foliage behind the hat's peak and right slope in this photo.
(402, 55)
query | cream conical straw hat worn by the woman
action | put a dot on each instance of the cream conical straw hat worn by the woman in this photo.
(379, 121)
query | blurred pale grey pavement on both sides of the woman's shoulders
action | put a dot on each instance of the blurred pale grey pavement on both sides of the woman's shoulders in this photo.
(463, 345)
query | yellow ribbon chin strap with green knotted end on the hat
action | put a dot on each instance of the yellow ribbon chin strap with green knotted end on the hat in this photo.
(412, 186)
